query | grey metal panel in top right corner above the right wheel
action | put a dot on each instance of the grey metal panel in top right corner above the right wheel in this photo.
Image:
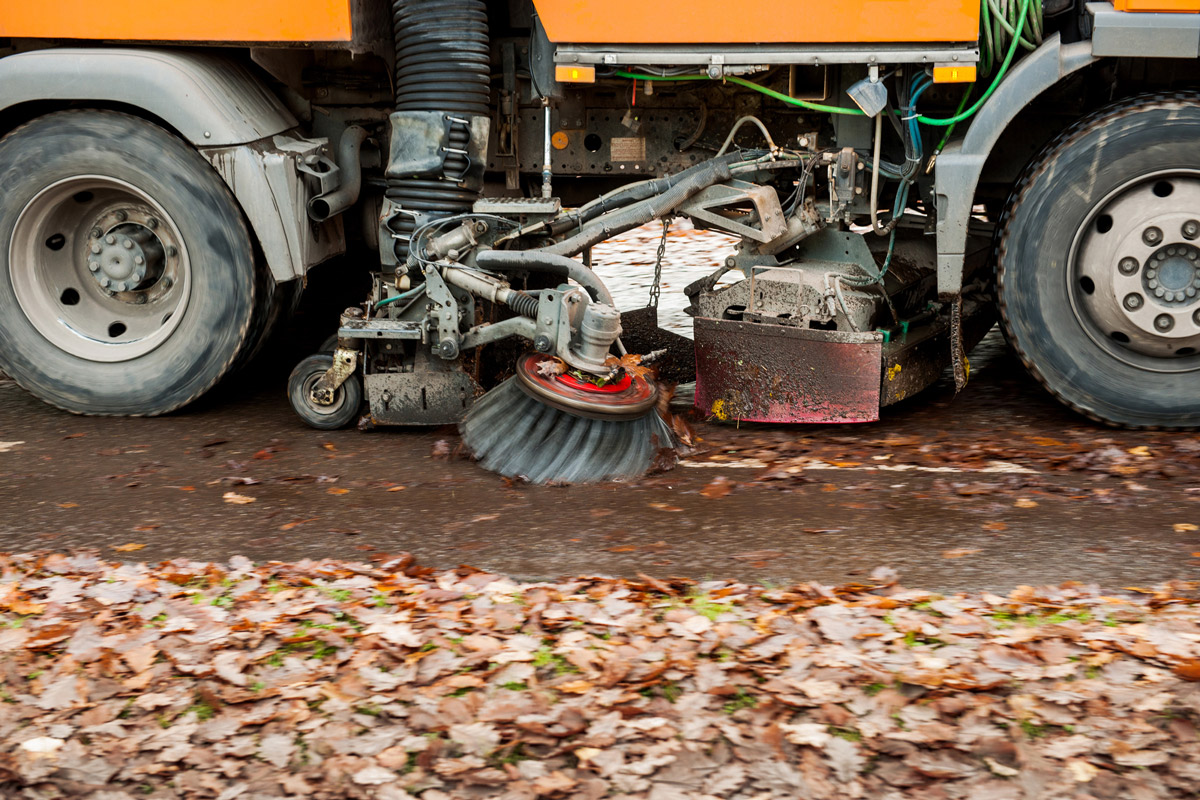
(1142, 35)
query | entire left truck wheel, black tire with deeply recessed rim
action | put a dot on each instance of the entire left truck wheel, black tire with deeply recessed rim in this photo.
(195, 218)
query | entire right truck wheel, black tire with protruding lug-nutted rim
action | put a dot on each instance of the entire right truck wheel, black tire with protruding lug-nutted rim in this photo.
(1072, 320)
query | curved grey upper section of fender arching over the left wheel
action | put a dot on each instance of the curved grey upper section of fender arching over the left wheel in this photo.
(209, 100)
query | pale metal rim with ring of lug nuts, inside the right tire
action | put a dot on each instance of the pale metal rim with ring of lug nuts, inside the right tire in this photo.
(1135, 273)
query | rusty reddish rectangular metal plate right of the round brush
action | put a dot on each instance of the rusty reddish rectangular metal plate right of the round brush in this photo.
(773, 374)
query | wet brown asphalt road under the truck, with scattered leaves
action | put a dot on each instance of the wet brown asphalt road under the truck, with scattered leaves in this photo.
(989, 490)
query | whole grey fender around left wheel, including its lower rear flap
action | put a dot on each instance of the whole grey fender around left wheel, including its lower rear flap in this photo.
(215, 104)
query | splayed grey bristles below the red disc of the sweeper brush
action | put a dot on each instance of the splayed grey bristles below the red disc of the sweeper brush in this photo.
(518, 436)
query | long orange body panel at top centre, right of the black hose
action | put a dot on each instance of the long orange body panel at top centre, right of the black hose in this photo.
(751, 22)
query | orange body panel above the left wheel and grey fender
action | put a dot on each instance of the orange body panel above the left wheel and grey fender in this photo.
(191, 21)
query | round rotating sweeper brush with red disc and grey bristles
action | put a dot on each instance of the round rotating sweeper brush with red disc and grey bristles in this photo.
(550, 428)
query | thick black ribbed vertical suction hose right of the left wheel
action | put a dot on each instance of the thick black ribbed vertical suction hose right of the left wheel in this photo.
(443, 64)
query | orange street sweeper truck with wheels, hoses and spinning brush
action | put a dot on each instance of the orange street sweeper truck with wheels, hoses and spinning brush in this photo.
(898, 175)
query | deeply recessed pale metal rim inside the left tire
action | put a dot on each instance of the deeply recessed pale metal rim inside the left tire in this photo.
(100, 269)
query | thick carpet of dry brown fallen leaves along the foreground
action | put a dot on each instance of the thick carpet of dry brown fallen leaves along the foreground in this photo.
(334, 681)
